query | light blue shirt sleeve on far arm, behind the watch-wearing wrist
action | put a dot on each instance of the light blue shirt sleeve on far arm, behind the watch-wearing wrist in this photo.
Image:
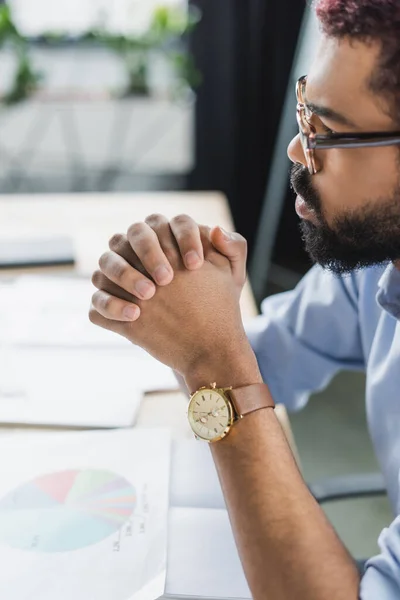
(305, 336)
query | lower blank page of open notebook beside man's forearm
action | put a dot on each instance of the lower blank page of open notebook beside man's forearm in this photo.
(203, 561)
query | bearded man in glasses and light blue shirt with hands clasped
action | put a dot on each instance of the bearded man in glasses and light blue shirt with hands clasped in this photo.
(348, 188)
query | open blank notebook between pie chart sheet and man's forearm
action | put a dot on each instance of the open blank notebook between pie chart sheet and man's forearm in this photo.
(202, 559)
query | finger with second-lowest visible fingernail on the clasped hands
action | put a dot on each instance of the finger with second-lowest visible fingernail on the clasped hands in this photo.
(118, 270)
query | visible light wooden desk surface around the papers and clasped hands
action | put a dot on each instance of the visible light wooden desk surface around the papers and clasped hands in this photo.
(91, 219)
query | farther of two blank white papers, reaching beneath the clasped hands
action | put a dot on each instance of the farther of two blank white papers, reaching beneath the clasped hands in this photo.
(53, 312)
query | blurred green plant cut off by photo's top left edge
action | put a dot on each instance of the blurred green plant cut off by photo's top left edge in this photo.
(26, 78)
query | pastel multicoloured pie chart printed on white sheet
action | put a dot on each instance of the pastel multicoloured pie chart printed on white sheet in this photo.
(66, 510)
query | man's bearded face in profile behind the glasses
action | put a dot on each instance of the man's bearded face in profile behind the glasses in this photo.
(350, 209)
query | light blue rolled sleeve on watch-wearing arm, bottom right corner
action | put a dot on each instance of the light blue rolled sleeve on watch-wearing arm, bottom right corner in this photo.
(382, 576)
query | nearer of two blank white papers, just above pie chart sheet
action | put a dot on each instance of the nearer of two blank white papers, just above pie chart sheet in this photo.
(68, 387)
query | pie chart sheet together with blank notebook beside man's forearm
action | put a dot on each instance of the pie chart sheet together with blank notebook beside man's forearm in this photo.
(114, 516)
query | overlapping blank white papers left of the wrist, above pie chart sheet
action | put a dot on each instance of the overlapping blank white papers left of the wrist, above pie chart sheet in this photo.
(57, 368)
